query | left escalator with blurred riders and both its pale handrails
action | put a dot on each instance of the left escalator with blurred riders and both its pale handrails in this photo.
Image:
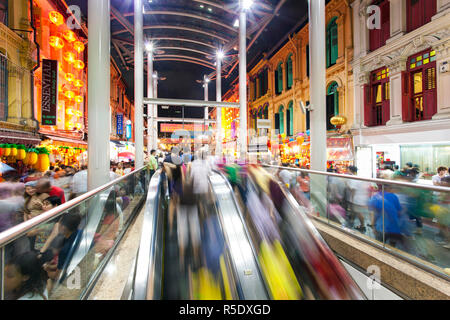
(224, 266)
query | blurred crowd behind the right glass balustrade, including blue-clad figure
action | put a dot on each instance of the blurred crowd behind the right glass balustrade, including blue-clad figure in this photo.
(415, 220)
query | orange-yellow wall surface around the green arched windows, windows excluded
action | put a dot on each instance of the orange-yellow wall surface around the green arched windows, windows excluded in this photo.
(341, 72)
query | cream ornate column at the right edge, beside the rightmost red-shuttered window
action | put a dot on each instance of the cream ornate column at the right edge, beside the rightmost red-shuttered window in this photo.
(443, 80)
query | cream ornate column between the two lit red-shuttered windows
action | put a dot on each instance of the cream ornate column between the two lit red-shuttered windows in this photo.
(395, 77)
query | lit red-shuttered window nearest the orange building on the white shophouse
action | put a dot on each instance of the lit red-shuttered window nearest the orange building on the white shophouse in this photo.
(377, 108)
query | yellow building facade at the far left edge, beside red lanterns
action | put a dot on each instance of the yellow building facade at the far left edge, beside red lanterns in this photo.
(17, 60)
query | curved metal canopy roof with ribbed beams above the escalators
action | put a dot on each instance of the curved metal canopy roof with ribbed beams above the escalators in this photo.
(189, 30)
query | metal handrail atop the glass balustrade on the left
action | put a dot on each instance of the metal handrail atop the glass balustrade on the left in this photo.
(19, 230)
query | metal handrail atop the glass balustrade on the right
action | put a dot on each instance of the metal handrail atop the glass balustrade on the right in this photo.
(373, 180)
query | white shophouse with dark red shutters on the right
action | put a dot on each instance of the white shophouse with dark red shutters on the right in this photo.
(402, 84)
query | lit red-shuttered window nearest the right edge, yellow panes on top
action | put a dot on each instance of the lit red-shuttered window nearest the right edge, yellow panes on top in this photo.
(422, 102)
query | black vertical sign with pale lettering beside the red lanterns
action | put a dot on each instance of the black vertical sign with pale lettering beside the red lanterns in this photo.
(49, 104)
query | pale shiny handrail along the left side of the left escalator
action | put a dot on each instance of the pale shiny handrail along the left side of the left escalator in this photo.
(144, 279)
